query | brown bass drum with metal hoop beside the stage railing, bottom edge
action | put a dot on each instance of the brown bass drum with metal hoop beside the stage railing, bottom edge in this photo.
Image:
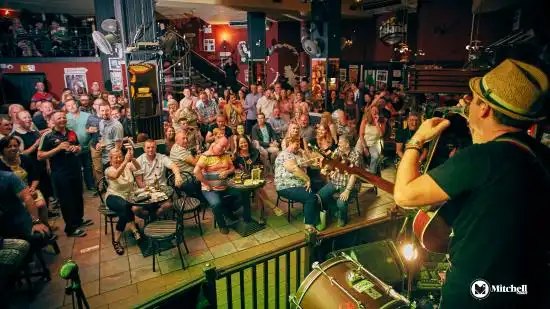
(339, 283)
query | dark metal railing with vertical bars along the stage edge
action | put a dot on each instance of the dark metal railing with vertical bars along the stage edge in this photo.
(291, 265)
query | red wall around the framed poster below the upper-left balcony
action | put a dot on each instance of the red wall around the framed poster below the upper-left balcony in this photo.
(55, 73)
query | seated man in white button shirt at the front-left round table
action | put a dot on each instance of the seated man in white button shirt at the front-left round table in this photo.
(153, 167)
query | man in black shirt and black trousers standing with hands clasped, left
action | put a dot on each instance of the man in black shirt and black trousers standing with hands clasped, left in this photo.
(61, 148)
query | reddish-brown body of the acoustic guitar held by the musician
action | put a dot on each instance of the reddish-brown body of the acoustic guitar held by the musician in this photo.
(432, 231)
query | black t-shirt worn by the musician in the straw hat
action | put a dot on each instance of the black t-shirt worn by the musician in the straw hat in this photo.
(498, 215)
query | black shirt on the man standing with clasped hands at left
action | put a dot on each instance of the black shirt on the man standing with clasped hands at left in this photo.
(63, 161)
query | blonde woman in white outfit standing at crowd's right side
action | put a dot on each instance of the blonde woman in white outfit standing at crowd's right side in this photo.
(371, 135)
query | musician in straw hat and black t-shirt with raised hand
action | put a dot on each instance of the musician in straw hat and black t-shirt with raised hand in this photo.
(492, 189)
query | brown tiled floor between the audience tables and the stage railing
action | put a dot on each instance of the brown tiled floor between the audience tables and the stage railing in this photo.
(112, 281)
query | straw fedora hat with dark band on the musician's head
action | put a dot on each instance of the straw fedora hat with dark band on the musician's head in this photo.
(513, 88)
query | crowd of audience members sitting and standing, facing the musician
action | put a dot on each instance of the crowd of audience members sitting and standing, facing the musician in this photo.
(51, 150)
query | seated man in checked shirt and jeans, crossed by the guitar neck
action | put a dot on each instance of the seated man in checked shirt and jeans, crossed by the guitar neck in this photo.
(345, 185)
